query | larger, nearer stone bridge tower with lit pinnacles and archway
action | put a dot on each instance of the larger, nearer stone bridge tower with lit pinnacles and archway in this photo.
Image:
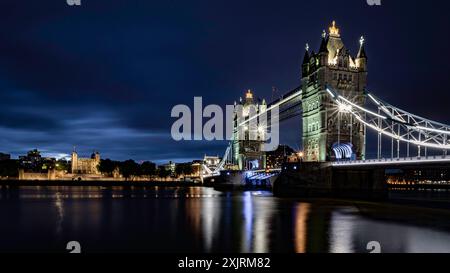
(329, 133)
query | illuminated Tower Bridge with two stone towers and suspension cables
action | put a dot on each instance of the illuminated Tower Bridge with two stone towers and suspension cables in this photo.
(338, 112)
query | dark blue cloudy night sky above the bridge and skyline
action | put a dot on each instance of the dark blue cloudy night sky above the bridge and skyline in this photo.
(104, 76)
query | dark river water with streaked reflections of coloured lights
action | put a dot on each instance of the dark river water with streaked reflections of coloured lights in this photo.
(164, 219)
